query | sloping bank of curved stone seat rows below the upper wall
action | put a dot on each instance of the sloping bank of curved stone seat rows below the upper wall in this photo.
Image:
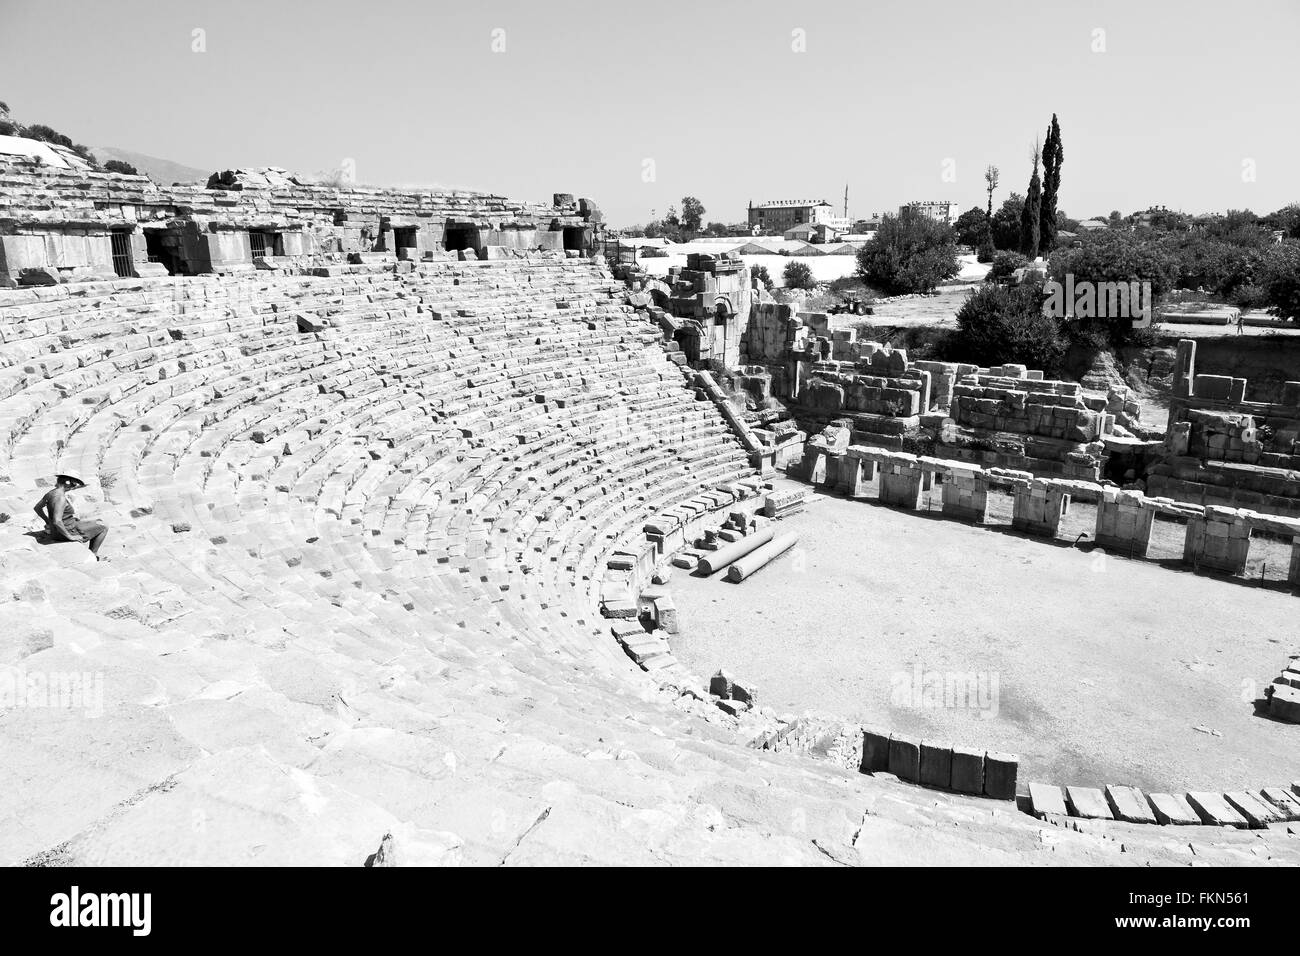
(285, 682)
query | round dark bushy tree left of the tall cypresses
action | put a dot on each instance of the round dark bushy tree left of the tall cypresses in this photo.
(909, 256)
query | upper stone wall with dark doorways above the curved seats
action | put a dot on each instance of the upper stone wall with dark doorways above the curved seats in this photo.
(59, 226)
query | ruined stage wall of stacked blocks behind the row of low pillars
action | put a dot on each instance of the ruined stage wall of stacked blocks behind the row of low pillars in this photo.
(1219, 449)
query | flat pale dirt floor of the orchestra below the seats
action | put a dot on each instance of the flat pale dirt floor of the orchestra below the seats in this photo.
(1095, 668)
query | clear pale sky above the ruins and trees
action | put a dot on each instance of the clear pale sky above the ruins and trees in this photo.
(712, 92)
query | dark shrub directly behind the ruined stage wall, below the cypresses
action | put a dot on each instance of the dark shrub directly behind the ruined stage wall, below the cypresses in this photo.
(1000, 325)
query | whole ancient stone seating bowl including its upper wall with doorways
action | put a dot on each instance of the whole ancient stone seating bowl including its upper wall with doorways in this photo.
(363, 516)
